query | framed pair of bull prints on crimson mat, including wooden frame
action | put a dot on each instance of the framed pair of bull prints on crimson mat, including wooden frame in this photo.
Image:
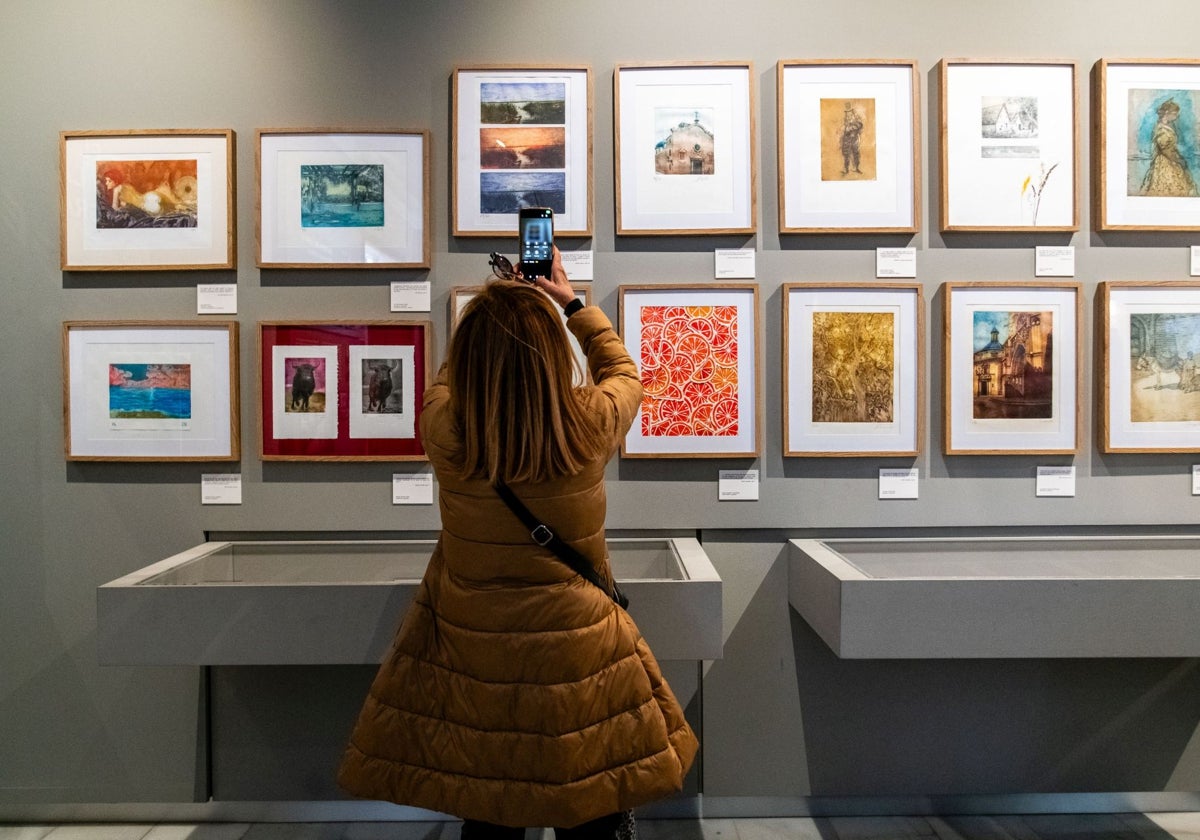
(343, 391)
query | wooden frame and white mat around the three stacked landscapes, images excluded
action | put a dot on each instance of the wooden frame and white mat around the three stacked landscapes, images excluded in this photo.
(466, 92)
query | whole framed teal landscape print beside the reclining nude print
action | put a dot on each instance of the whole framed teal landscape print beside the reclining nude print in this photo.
(334, 199)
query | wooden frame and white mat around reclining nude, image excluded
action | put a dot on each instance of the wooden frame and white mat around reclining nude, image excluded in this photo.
(211, 245)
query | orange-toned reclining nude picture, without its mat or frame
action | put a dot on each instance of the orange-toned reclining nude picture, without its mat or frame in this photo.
(147, 194)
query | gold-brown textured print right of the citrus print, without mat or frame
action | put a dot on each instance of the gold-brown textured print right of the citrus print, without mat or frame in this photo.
(854, 367)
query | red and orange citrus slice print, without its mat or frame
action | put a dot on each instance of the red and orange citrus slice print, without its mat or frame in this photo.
(689, 362)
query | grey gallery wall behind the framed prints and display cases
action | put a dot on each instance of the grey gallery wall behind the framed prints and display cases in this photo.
(782, 719)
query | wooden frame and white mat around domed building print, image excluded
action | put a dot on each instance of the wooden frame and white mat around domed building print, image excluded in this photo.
(1058, 435)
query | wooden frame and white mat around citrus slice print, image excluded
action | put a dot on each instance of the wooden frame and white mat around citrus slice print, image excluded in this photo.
(748, 441)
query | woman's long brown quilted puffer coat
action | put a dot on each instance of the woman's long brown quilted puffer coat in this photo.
(517, 693)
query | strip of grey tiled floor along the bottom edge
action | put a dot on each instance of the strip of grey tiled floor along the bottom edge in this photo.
(1035, 827)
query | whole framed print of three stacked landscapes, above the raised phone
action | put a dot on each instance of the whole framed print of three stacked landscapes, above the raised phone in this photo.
(523, 137)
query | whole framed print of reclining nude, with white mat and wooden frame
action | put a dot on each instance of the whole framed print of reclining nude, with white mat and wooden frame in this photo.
(140, 201)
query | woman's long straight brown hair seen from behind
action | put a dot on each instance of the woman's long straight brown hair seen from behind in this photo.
(511, 375)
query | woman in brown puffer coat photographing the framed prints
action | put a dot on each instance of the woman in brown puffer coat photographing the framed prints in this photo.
(517, 693)
